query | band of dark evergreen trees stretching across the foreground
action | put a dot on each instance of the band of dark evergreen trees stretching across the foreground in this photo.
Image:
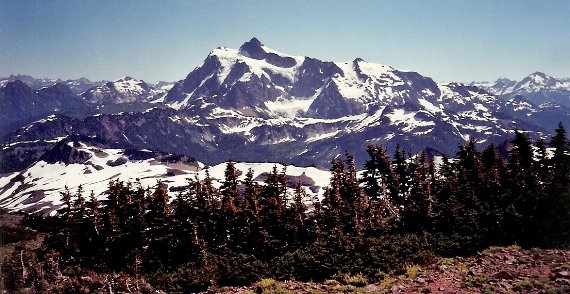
(396, 211)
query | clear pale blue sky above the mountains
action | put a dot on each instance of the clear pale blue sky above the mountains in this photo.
(164, 40)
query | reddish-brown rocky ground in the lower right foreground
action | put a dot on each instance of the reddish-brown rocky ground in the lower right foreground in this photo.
(495, 270)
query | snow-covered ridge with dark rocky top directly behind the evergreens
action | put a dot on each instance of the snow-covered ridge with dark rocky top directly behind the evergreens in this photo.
(39, 187)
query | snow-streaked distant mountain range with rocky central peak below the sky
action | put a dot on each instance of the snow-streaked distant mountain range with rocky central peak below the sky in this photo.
(257, 104)
